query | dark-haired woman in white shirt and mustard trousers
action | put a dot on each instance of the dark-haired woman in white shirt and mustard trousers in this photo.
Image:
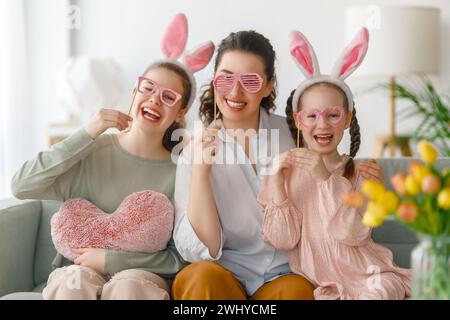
(217, 216)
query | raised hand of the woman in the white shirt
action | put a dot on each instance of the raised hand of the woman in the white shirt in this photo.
(204, 149)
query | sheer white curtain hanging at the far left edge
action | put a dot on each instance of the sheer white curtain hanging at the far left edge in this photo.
(15, 106)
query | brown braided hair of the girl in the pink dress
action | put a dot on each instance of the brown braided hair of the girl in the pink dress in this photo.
(355, 135)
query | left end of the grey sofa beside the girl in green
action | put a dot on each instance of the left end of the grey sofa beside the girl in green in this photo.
(26, 248)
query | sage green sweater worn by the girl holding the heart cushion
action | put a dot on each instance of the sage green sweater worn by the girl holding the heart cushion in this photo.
(104, 173)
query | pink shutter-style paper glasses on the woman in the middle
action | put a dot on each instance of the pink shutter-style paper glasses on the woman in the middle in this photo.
(250, 82)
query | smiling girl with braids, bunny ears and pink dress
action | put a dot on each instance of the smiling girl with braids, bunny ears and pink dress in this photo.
(327, 243)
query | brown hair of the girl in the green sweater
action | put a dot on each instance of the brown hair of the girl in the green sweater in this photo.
(167, 140)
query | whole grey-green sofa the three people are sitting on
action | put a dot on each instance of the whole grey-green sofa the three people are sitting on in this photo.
(26, 248)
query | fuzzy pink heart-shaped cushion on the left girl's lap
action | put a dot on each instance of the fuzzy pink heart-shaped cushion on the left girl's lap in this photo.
(143, 222)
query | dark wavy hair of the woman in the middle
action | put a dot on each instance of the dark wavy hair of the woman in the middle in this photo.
(246, 41)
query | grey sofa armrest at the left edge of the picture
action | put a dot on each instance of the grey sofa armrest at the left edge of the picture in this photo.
(19, 225)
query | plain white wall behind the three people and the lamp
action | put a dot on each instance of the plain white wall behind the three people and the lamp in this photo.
(130, 32)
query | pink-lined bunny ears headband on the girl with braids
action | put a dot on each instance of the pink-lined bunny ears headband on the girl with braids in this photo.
(305, 58)
